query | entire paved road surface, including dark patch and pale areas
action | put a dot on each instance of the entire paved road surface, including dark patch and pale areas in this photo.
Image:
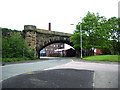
(62, 72)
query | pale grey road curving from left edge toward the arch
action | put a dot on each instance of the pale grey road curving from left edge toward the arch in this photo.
(16, 69)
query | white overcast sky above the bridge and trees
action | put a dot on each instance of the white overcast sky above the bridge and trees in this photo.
(61, 13)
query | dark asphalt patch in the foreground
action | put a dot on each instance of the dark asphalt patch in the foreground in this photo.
(56, 78)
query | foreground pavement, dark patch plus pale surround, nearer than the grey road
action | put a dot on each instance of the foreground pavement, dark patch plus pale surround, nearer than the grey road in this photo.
(75, 74)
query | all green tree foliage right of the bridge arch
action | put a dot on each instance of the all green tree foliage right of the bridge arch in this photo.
(97, 32)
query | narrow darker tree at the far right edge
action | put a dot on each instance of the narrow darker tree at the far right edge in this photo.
(113, 25)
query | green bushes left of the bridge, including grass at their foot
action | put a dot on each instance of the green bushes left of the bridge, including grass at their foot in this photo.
(14, 47)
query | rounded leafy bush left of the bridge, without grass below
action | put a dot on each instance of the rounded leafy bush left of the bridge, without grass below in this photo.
(15, 47)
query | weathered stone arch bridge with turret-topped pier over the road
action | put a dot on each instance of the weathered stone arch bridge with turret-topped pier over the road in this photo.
(38, 39)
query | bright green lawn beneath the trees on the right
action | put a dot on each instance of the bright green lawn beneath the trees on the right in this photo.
(112, 58)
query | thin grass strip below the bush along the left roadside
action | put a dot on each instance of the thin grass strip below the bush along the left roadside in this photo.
(17, 59)
